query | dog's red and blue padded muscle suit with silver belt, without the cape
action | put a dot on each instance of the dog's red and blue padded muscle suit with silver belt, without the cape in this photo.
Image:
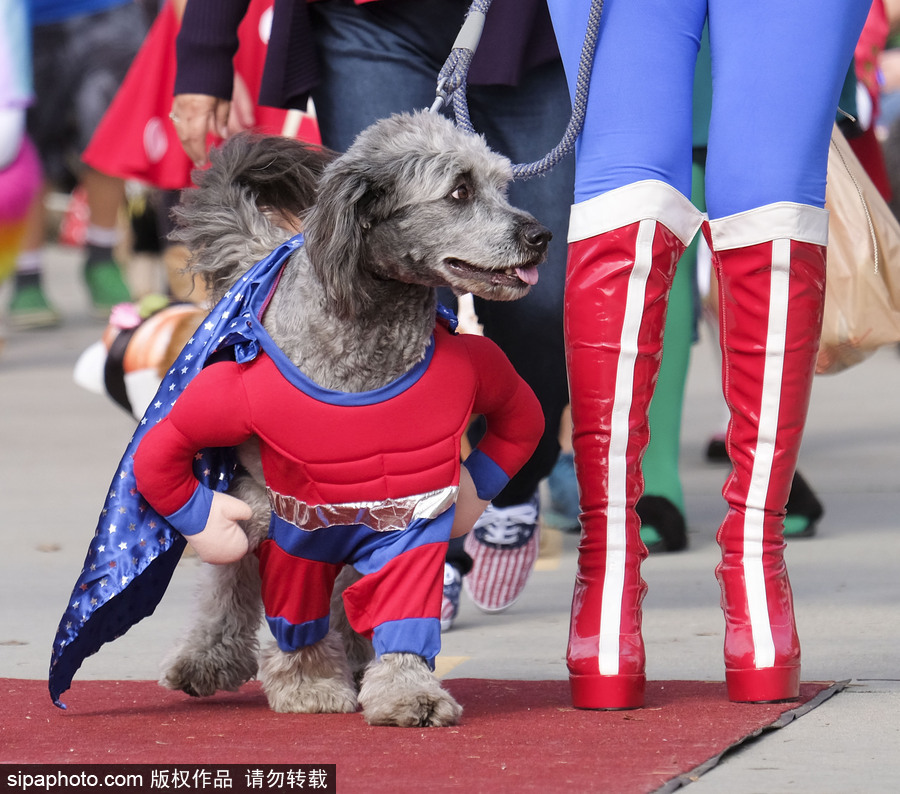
(368, 479)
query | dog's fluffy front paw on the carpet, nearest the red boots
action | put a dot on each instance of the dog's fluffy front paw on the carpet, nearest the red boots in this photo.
(399, 689)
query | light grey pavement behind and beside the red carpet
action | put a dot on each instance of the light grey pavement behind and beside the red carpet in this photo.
(59, 446)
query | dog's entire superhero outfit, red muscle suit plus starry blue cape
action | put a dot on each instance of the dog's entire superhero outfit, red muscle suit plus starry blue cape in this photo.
(368, 479)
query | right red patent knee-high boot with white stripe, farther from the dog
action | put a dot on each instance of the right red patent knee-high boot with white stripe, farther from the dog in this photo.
(770, 264)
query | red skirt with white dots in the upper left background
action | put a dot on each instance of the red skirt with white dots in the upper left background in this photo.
(137, 140)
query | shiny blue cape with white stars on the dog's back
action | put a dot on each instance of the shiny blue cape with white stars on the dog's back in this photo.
(134, 551)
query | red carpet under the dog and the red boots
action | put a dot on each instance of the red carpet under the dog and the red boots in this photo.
(515, 735)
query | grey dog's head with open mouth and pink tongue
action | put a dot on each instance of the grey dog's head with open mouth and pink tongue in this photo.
(422, 202)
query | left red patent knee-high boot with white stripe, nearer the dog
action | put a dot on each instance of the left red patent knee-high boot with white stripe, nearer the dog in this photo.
(623, 248)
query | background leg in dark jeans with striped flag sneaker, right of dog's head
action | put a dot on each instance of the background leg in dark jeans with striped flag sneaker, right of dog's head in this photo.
(525, 122)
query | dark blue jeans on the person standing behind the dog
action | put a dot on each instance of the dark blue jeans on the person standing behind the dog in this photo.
(382, 58)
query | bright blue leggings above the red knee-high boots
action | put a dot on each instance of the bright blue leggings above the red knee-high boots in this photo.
(777, 71)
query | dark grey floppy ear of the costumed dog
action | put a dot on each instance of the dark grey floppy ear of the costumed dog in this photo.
(335, 231)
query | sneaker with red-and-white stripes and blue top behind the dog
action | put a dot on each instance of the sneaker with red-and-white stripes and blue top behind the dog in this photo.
(504, 547)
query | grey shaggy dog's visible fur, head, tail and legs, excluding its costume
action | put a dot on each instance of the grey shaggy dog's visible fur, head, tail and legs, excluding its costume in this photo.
(413, 205)
